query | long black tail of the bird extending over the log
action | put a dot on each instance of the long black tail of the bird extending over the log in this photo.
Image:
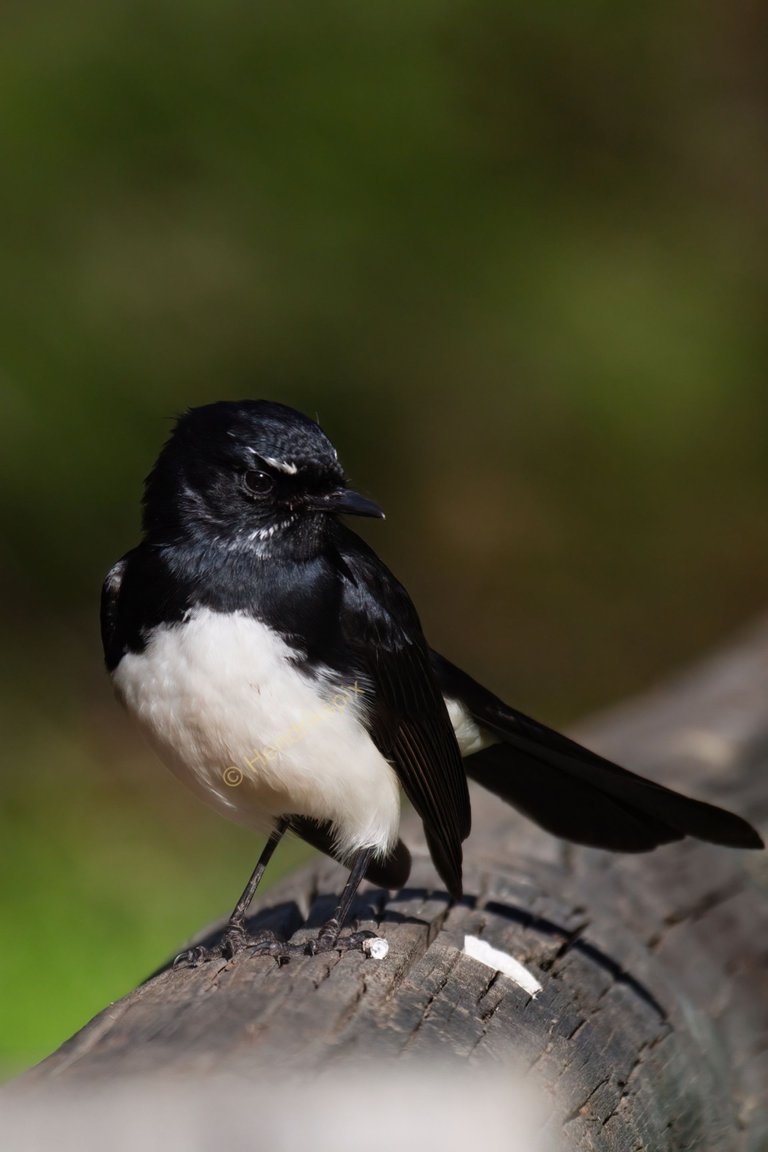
(575, 793)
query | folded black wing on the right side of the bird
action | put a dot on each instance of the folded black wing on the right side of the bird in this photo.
(408, 719)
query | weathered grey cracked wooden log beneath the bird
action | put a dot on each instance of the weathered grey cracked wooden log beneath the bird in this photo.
(652, 1027)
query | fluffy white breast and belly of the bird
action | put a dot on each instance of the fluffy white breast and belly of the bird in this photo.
(234, 718)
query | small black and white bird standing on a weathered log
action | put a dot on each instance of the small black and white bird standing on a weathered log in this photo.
(280, 670)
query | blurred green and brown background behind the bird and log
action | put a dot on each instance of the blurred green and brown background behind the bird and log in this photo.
(515, 257)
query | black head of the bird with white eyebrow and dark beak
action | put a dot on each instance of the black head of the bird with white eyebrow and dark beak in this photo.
(247, 474)
